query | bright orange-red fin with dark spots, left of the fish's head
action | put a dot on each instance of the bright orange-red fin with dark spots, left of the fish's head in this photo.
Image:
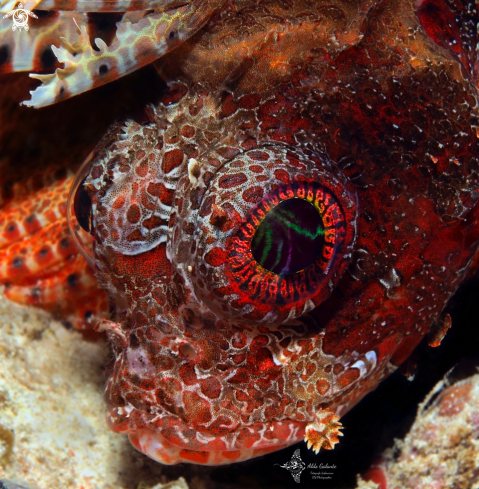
(39, 263)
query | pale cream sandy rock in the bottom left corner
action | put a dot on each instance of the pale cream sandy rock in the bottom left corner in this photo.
(53, 433)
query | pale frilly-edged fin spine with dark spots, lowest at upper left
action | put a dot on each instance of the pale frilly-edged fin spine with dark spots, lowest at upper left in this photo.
(136, 45)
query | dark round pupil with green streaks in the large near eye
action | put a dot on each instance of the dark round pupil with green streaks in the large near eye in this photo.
(290, 238)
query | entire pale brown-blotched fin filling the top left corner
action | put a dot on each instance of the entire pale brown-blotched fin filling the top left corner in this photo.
(97, 42)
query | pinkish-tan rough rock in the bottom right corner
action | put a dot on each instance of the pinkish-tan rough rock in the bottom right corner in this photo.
(442, 448)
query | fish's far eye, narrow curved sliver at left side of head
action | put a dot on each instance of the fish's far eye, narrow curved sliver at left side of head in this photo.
(80, 214)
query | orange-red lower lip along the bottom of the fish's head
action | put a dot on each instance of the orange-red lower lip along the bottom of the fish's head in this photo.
(214, 450)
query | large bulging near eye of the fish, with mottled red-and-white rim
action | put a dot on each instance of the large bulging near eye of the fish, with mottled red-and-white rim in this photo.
(272, 253)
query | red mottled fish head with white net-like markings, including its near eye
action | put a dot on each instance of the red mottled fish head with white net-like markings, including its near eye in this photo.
(221, 353)
